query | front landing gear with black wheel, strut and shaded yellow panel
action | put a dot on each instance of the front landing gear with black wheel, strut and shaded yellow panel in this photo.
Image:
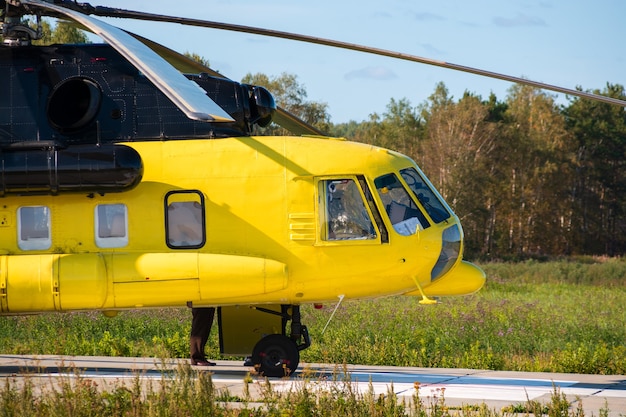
(262, 330)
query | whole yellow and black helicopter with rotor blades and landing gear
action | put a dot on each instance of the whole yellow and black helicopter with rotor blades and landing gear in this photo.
(125, 183)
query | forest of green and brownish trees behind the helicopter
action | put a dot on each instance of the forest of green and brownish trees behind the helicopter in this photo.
(527, 177)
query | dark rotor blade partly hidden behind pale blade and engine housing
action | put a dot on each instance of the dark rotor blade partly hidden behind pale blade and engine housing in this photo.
(183, 63)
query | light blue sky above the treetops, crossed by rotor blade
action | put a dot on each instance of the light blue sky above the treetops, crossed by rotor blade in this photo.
(568, 43)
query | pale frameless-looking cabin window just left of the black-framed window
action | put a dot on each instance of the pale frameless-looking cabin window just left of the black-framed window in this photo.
(111, 221)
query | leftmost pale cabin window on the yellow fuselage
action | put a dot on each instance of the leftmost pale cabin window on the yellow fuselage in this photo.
(33, 228)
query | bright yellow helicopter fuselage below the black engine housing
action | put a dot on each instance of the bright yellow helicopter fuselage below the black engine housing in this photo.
(263, 229)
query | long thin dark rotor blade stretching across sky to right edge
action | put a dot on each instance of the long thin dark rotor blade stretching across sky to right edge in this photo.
(129, 14)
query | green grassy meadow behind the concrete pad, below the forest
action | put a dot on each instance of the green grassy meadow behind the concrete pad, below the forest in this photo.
(560, 316)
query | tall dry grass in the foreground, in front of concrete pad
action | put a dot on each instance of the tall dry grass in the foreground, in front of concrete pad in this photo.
(187, 392)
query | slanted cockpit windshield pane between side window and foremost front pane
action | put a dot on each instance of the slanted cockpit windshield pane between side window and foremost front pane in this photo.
(404, 214)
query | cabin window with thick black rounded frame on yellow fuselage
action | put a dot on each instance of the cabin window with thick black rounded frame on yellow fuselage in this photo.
(185, 220)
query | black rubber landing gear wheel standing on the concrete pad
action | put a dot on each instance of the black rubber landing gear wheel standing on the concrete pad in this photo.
(276, 356)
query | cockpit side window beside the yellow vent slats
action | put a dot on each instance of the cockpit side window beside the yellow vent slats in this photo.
(345, 216)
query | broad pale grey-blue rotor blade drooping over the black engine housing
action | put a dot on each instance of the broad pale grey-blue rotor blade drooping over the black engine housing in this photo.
(186, 95)
